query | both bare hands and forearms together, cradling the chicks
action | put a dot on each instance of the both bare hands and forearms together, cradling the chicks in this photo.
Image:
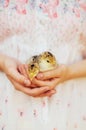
(45, 83)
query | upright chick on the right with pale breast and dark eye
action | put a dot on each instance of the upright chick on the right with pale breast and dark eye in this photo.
(47, 61)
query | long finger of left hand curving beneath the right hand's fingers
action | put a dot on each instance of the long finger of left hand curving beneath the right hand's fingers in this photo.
(31, 92)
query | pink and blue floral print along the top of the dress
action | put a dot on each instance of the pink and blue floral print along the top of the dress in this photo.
(48, 7)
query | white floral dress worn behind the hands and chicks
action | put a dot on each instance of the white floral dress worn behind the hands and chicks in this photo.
(43, 25)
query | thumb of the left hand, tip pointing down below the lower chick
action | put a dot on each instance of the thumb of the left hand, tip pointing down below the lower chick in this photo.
(18, 77)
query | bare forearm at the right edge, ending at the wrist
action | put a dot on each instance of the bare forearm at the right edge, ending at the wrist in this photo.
(77, 70)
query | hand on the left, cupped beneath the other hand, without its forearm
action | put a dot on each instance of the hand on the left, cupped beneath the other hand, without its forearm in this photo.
(19, 81)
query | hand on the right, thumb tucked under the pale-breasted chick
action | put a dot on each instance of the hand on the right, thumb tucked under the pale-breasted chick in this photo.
(53, 77)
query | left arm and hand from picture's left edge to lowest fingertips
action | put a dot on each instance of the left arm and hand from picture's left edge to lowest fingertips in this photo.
(10, 67)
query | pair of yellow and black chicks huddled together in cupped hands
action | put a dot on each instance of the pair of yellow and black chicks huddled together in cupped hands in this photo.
(43, 62)
